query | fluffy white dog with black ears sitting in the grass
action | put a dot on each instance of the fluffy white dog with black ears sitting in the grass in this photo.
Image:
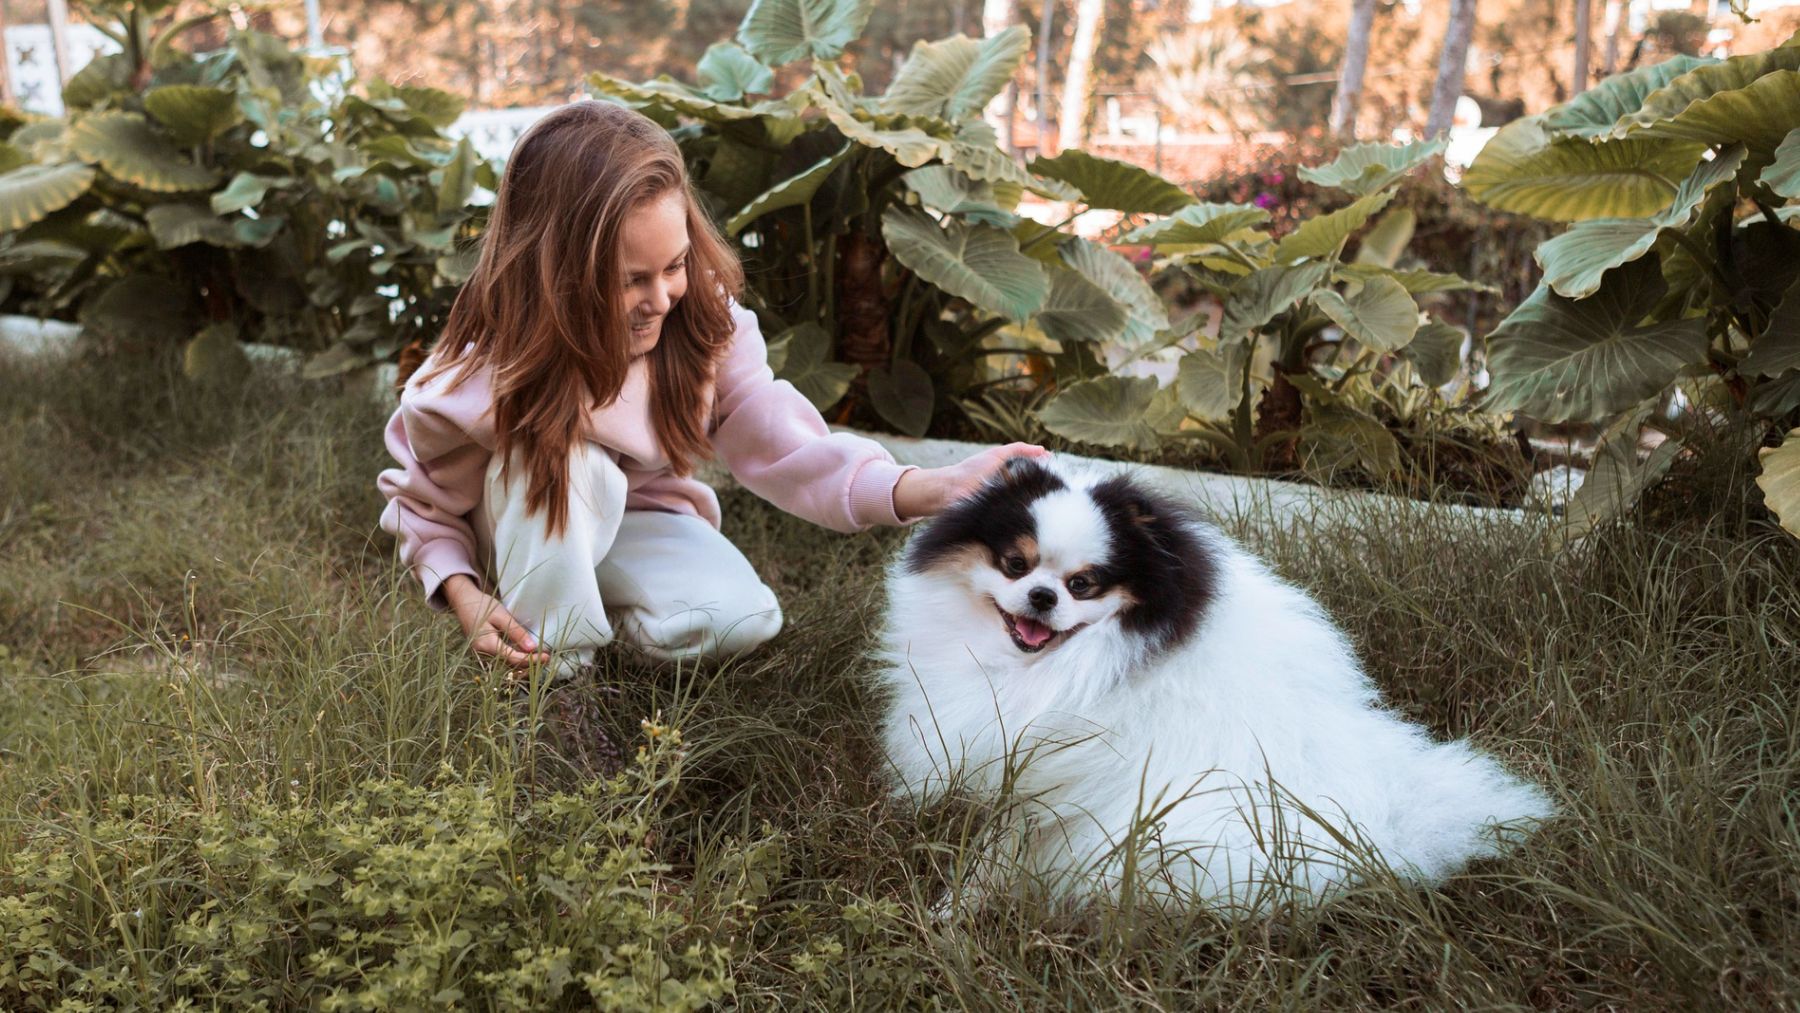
(1171, 715)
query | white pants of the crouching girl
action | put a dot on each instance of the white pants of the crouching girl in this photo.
(665, 582)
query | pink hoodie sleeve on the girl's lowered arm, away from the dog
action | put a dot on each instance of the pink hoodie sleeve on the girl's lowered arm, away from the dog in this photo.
(438, 481)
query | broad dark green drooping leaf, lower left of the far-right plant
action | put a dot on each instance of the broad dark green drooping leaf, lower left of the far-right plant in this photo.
(1561, 359)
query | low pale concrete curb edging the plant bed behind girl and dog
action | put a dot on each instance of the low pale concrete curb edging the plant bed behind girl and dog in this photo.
(1259, 503)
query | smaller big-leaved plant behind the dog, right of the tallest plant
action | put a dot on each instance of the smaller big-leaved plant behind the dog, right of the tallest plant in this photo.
(1317, 354)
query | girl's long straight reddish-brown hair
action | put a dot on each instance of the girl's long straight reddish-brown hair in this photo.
(546, 307)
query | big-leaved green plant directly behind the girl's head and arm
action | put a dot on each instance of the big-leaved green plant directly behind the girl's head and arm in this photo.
(883, 233)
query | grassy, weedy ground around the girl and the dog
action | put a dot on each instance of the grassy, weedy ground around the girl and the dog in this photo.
(224, 713)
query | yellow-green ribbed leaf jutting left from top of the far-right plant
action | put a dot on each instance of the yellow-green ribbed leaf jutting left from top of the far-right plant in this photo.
(1527, 172)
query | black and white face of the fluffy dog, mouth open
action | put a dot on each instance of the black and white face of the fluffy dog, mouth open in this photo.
(1045, 559)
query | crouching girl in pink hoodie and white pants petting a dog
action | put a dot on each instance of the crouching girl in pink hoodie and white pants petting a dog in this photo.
(593, 357)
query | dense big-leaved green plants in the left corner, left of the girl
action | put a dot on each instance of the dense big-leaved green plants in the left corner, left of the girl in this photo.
(249, 193)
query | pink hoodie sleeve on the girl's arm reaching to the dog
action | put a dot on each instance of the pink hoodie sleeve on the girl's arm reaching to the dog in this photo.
(778, 447)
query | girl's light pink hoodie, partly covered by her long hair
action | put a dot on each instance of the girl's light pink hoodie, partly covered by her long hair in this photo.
(764, 431)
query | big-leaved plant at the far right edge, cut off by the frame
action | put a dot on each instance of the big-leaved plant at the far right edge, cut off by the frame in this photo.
(1680, 269)
